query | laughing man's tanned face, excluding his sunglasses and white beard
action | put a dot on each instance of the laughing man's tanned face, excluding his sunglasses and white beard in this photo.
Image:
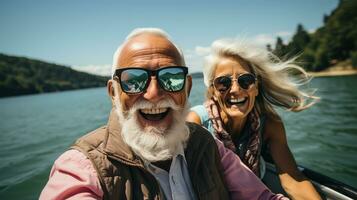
(152, 52)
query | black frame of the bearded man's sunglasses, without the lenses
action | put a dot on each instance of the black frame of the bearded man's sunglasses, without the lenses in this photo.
(118, 72)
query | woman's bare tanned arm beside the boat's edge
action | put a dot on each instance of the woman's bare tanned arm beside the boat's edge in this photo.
(293, 181)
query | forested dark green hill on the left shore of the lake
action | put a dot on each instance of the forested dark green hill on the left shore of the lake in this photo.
(20, 76)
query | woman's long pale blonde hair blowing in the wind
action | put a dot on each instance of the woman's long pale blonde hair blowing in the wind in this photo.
(278, 80)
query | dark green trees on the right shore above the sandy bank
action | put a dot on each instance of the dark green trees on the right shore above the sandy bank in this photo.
(333, 42)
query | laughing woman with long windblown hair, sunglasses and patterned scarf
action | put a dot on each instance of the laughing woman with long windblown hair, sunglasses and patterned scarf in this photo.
(245, 84)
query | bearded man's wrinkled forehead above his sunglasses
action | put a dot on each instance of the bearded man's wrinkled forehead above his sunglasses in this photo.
(148, 47)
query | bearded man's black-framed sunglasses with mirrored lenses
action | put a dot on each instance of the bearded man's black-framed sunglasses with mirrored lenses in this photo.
(135, 80)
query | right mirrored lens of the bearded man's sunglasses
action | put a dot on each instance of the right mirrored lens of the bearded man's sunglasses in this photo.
(172, 79)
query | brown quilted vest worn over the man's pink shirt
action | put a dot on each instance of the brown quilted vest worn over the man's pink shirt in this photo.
(122, 174)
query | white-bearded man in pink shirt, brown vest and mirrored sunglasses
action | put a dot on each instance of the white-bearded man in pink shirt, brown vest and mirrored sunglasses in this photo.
(147, 151)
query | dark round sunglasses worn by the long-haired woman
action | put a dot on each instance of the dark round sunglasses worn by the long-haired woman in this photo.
(224, 83)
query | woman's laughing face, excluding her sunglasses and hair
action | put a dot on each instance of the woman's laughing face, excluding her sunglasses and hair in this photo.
(236, 102)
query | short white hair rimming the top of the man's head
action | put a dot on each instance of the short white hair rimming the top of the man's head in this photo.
(141, 31)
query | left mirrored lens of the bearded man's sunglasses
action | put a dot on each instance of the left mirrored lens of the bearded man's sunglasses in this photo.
(133, 80)
